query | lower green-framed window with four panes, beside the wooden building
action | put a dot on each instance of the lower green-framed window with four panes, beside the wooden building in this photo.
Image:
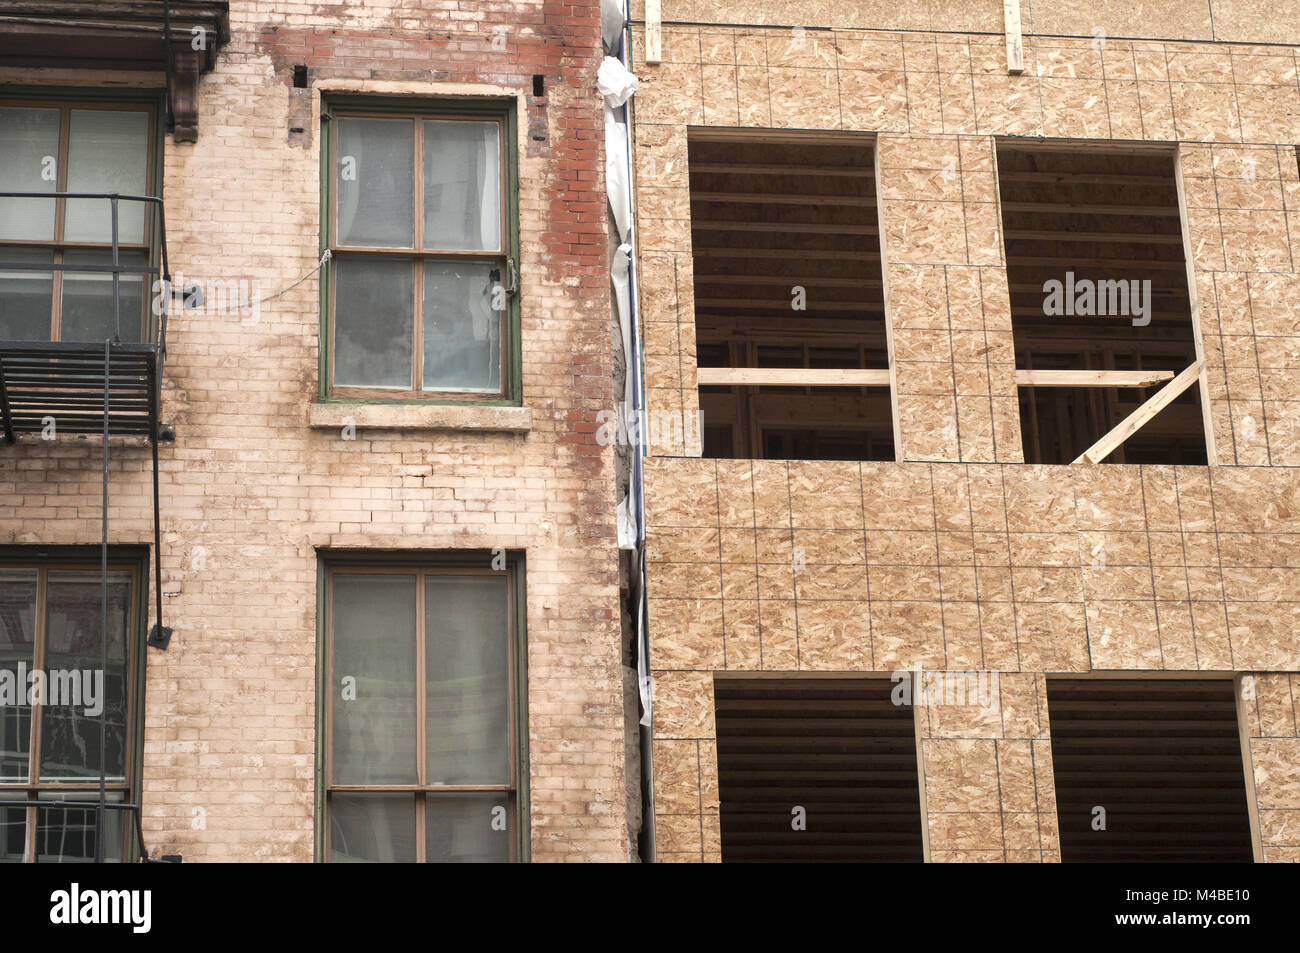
(424, 738)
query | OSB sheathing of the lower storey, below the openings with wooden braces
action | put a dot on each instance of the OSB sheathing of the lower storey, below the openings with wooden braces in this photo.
(842, 568)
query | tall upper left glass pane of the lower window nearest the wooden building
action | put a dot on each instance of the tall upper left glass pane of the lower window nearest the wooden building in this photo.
(374, 673)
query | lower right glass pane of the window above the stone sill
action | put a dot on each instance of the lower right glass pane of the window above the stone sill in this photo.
(462, 332)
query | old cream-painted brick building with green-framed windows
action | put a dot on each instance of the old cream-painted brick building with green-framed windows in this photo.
(388, 536)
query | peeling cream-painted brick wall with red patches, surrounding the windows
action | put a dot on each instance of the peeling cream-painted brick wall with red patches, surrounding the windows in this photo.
(250, 492)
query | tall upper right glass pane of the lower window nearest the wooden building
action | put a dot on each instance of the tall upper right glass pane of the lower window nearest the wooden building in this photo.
(466, 668)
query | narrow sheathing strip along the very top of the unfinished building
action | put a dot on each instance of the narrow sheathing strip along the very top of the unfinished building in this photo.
(1184, 20)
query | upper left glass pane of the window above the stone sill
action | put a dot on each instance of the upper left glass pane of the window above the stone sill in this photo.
(376, 183)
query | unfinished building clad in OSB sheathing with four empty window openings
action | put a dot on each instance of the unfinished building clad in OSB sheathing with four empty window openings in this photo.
(851, 218)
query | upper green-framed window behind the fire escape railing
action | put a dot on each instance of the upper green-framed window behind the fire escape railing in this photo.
(73, 142)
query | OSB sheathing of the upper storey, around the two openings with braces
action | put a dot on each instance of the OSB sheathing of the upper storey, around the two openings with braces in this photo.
(937, 102)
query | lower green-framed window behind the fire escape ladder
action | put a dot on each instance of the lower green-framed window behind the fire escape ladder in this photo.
(54, 698)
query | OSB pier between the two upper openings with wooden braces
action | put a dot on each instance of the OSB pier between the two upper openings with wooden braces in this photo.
(950, 309)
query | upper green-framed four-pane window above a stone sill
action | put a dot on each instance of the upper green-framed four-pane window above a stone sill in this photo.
(421, 216)
